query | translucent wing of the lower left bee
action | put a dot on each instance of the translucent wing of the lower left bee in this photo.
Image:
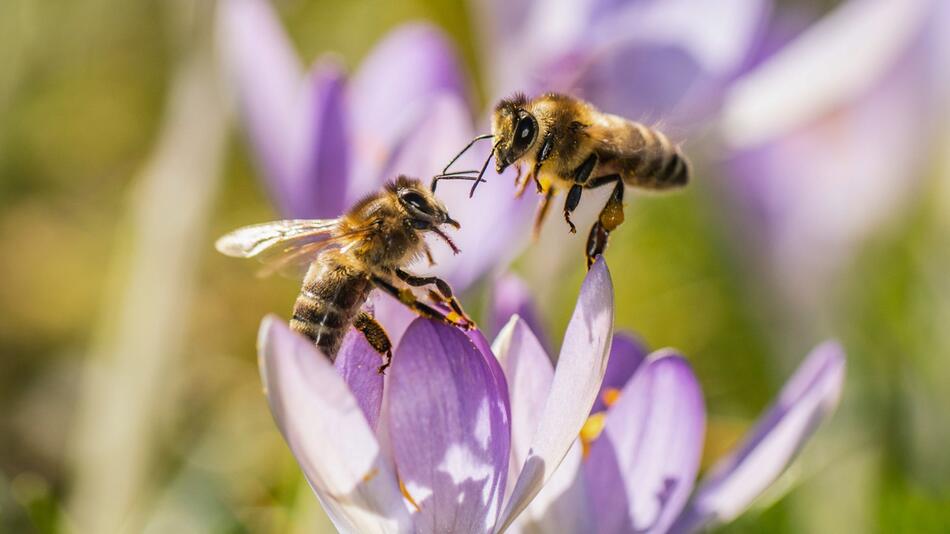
(289, 244)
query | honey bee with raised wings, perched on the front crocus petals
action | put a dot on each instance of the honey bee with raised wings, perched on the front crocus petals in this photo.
(365, 249)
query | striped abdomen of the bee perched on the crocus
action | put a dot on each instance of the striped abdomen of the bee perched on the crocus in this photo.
(329, 300)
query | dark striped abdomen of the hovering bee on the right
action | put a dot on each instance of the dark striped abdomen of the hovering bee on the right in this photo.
(655, 163)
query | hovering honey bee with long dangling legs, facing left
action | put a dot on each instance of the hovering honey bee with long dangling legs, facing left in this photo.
(570, 145)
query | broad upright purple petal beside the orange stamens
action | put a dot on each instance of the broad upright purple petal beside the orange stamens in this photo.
(641, 469)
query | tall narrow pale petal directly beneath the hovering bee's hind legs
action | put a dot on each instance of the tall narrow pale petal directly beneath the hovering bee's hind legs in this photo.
(577, 378)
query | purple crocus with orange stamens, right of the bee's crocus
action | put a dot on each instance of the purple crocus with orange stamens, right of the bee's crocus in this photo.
(639, 453)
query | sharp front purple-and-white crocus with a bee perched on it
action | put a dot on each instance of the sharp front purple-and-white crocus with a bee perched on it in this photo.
(436, 446)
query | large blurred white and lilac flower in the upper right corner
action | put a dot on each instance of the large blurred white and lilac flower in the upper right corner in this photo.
(831, 135)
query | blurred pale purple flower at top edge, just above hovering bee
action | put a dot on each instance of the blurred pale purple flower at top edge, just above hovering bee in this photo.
(645, 59)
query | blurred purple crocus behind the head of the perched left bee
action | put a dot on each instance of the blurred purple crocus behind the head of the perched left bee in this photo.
(323, 141)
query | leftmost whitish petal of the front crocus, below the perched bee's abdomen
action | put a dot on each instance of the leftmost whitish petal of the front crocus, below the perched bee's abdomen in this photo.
(328, 434)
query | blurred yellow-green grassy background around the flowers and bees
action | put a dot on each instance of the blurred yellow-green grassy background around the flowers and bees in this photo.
(86, 98)
